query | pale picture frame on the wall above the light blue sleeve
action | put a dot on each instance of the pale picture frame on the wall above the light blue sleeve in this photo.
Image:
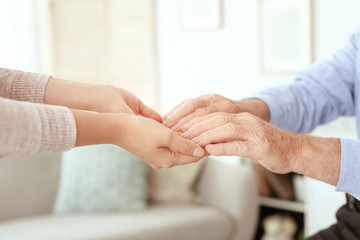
(286, 35)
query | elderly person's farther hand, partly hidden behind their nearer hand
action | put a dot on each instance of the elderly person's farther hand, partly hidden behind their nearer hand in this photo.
(211, 103)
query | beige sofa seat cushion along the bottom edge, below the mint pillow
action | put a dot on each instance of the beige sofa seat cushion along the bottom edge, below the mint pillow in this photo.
(175, 222)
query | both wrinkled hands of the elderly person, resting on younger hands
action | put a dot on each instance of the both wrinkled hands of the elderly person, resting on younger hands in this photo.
(226, 127)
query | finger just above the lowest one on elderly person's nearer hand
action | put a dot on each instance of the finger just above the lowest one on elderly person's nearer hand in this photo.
(222, 134)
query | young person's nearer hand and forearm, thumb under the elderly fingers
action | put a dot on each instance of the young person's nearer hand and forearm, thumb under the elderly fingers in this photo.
(156, 144)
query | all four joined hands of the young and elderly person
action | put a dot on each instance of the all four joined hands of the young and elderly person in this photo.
(213, 123)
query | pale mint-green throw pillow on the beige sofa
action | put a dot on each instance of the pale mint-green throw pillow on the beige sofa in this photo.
(101, 178)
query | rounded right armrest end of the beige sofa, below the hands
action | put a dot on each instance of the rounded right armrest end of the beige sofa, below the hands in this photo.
(233, 189)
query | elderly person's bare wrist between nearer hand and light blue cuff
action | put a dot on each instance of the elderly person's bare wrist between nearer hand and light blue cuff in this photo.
(318, 158)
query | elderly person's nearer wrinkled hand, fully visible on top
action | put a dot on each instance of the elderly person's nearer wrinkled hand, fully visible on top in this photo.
(245, 135)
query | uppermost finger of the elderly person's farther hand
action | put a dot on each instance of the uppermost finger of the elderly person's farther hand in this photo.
(185, 109)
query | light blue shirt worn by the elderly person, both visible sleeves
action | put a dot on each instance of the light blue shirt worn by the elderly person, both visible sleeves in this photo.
(319, 95)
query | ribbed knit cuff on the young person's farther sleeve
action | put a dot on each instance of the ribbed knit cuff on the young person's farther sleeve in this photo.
(28, 87)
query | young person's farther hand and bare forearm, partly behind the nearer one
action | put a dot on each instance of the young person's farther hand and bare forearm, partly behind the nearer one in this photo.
(98, 98)
